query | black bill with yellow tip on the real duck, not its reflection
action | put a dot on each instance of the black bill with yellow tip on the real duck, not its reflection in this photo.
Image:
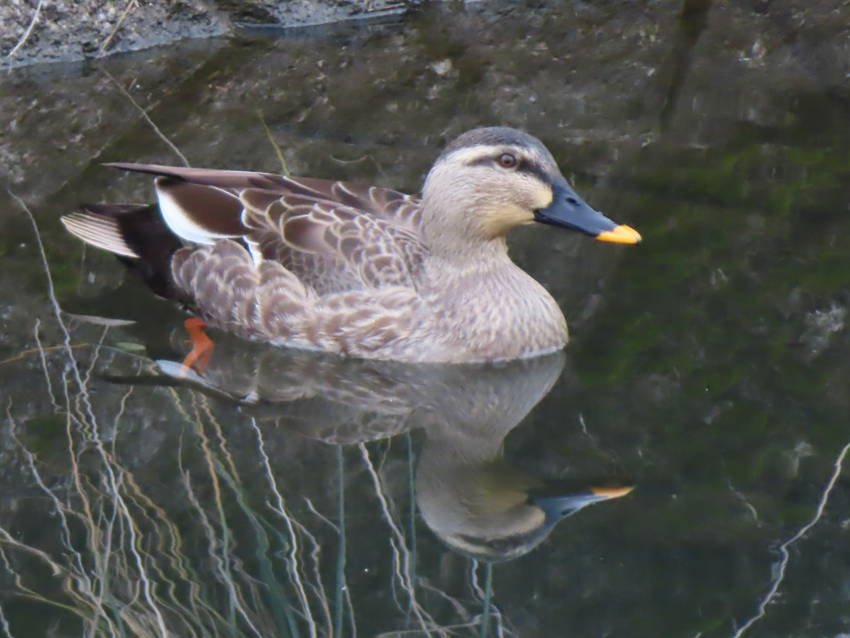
(568, 210)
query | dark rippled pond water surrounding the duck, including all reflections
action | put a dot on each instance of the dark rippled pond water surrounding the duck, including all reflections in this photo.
(301, 496)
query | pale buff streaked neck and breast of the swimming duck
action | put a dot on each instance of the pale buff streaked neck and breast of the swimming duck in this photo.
(489, 309)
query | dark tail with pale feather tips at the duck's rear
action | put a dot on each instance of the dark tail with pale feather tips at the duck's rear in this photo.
(136, 234)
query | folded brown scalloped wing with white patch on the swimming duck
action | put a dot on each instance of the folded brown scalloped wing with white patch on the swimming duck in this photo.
(334, 236)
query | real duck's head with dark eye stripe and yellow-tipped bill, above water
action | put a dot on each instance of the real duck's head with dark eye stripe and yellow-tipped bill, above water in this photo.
(490, 180)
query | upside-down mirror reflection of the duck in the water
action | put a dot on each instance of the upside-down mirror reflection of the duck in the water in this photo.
(473, 499)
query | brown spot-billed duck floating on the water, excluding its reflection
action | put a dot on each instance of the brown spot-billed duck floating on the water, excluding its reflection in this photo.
(360, 271)
